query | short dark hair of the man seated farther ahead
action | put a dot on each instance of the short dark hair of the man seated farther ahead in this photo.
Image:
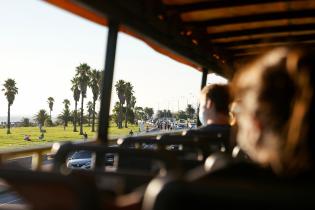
(219, 94)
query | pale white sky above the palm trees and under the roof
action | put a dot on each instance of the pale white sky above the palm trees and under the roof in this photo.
(41, 45)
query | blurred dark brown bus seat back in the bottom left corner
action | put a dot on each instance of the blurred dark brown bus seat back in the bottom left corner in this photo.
(50, 191)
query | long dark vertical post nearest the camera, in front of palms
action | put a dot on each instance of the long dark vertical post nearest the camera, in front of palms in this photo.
(107, 83)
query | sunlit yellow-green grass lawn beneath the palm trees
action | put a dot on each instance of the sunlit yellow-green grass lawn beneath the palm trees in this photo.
(53, 134)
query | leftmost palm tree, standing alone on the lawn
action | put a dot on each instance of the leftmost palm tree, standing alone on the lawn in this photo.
(10, 91)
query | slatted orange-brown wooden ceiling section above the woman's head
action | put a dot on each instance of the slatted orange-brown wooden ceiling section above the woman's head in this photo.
(247, 28)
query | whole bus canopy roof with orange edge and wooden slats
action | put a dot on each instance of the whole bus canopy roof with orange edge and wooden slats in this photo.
(213, 34)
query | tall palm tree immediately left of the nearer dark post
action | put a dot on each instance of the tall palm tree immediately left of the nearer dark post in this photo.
(94, 84)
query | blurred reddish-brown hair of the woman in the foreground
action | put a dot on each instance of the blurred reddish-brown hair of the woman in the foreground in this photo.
(279, 90)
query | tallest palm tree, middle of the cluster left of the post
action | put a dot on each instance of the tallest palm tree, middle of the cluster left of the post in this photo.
(82, 73)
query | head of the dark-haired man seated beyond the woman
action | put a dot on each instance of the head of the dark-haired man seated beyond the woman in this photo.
(214, 101)
